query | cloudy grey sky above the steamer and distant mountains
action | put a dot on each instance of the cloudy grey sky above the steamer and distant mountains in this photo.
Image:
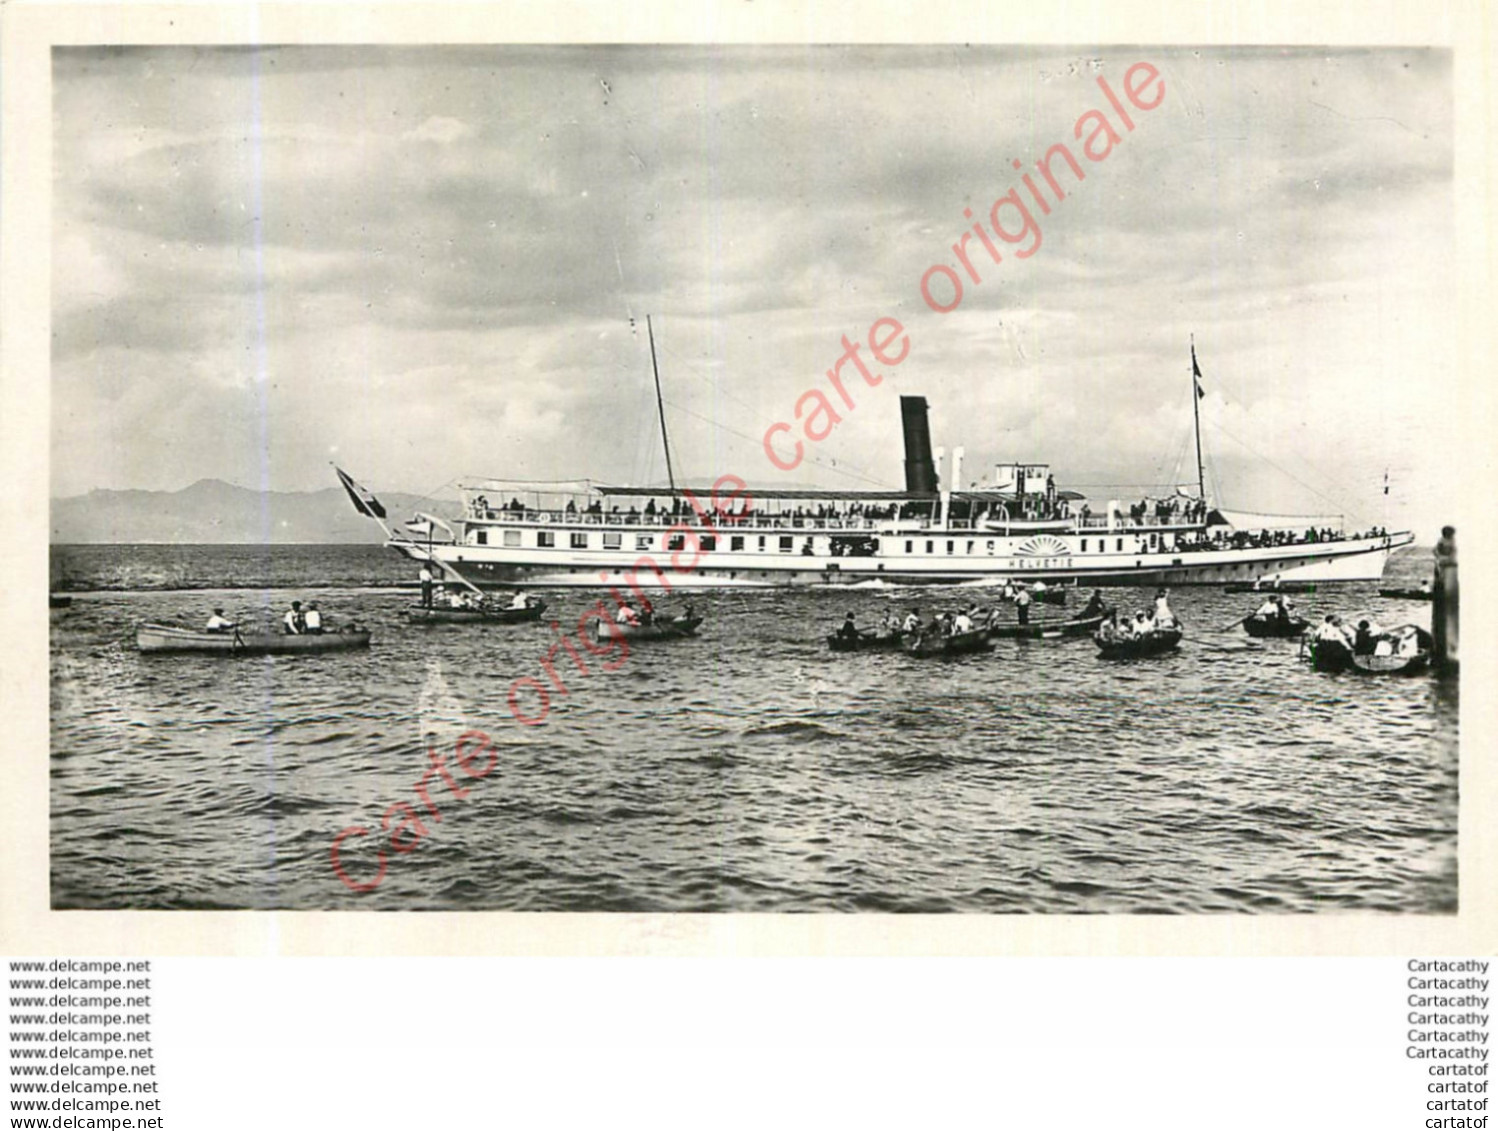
(432, 263)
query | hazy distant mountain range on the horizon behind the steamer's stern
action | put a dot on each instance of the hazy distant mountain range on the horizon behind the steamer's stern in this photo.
(216, 512)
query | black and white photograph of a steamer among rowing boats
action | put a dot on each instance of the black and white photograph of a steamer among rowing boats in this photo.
(754, 479)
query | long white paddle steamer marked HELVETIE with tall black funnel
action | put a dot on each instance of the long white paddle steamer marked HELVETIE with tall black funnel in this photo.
(1019, 528)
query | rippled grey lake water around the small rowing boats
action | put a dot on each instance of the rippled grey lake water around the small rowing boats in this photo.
(745, 771)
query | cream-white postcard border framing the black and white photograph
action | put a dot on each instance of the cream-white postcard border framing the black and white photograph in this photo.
(29, 927)
